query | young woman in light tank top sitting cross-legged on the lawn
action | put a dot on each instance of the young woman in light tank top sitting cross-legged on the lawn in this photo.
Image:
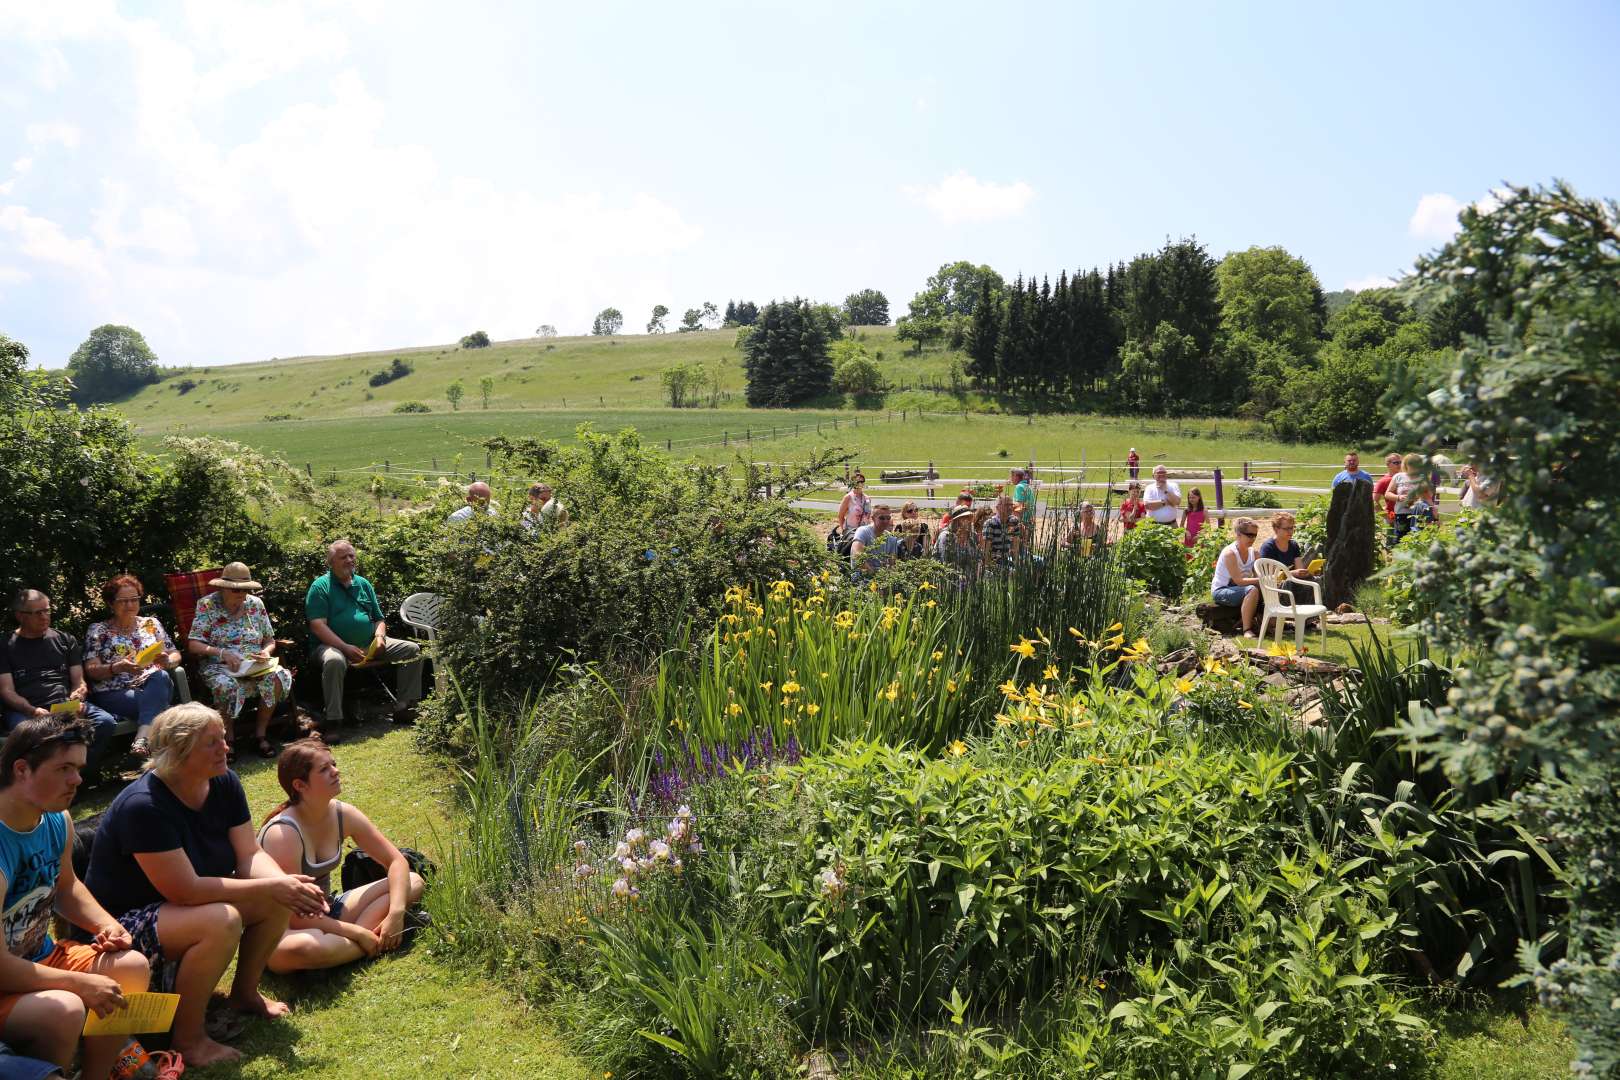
(305, 836)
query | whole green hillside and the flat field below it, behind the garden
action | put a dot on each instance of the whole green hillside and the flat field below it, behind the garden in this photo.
(330, 420)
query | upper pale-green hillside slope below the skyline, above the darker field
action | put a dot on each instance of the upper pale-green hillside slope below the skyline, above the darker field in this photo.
(565, 373)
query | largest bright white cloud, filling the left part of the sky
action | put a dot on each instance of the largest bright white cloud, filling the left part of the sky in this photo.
(315, 232)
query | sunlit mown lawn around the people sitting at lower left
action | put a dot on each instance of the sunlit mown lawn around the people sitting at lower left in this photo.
(412, 1014)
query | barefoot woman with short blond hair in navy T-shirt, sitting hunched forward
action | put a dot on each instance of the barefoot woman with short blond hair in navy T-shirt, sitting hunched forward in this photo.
(177, 862)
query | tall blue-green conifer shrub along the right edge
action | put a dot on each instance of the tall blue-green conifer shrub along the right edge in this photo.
(1533, 593)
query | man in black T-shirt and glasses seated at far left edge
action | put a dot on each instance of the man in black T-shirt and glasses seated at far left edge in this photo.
(43, 673)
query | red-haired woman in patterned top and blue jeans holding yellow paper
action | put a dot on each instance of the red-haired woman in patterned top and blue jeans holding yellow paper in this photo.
(129, 676)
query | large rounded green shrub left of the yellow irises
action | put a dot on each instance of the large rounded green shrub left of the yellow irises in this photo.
(652, 545)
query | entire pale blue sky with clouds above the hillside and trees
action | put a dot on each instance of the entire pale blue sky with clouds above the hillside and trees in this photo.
(250, 181)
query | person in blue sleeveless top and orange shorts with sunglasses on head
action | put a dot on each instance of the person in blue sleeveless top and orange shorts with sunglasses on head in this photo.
(48, 987)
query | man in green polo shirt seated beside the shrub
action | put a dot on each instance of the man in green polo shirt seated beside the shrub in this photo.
(346, 623)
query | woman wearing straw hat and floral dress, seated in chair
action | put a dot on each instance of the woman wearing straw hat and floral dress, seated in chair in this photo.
(232, 627)
